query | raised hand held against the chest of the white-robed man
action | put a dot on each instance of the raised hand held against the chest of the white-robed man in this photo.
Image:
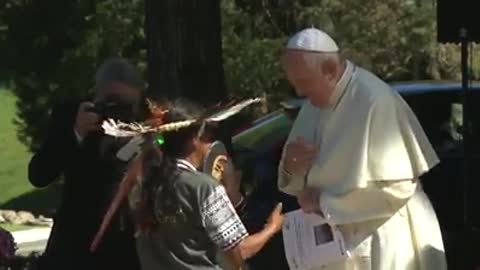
(299, 156)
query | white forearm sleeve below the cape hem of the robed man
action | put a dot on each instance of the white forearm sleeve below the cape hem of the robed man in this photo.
(380, 199)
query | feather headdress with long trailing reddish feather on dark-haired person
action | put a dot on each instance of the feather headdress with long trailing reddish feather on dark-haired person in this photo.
(155, 124)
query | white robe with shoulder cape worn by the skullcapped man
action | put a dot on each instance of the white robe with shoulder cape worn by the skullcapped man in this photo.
(372, 151)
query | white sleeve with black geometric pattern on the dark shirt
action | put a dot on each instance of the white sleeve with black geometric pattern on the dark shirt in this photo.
(220, 220)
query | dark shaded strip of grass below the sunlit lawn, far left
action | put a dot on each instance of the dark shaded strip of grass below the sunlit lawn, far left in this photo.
(42, 201)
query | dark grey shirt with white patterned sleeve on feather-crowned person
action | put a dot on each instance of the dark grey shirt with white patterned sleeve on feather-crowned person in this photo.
(191, 238)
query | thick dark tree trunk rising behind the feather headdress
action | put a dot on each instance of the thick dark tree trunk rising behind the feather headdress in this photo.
(184, 49)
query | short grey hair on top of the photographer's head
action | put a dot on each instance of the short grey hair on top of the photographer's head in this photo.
(118, 70)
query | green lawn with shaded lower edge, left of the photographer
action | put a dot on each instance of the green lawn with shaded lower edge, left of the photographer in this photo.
(15, 190)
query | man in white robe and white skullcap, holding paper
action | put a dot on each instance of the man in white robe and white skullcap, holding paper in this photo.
(355, 155)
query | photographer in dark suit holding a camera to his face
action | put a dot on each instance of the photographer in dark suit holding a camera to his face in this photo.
(92, 165)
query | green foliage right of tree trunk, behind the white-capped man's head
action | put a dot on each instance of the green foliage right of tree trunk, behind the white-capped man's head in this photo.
(394, 39)
